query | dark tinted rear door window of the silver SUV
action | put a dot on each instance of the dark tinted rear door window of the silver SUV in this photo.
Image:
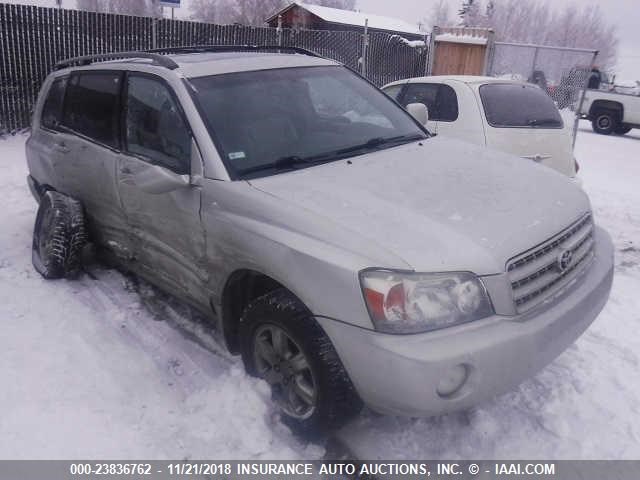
(91, 106)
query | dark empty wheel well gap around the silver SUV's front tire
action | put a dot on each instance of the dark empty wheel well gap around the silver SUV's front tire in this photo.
(241, 288)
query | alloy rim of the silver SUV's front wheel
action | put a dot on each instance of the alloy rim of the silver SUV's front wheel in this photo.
(281, 362)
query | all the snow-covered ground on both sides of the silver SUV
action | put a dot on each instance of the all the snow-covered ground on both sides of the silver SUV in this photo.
(107, 367)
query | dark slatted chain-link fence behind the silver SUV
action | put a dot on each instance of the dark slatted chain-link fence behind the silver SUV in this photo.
(33, 39)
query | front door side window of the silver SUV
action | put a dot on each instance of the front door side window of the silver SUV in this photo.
(155, 127)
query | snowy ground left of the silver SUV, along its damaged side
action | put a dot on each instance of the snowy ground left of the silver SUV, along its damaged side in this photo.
(89, 371)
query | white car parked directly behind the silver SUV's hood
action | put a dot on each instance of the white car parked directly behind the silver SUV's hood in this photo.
(511, 116)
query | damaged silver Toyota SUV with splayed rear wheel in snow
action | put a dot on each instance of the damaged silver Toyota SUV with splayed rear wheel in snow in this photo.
(346, 254)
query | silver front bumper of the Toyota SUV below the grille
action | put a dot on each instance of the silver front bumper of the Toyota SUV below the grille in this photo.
(400, 374)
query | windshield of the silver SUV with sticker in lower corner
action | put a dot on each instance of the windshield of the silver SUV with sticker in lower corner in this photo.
(269, 121)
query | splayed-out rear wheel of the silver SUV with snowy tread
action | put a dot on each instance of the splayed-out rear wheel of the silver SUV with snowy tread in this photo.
(58, 236)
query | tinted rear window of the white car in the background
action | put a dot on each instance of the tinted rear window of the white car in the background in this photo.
(513, 105)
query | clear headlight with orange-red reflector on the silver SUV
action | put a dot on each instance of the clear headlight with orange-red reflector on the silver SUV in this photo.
(400, 302)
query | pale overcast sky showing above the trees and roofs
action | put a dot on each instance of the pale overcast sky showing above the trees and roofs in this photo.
(623, 13)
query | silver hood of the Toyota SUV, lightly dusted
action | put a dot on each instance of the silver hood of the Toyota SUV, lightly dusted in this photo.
(440, 205)
